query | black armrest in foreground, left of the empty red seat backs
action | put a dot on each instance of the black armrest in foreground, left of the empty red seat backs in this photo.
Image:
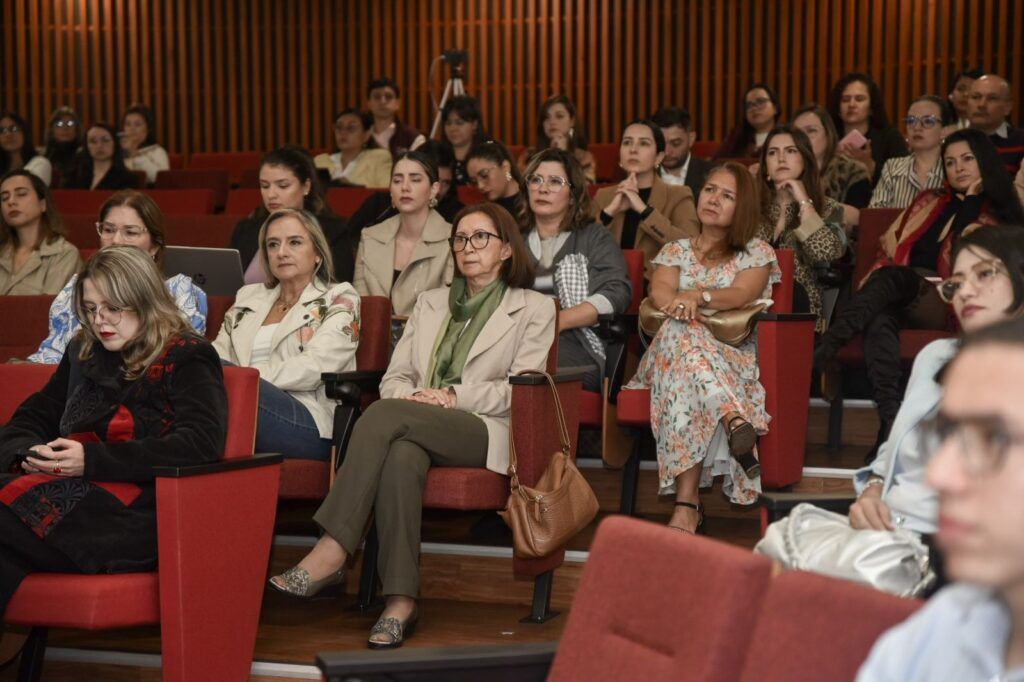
(521, 662)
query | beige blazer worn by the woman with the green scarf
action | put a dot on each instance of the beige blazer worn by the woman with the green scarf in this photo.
(517, 337)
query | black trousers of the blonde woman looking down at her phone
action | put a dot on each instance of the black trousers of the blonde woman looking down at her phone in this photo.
(23, 552)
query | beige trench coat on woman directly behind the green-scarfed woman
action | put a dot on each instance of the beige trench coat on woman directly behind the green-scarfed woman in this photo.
(430, 267)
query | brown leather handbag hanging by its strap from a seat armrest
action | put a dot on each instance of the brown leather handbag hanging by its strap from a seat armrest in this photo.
(544, 518)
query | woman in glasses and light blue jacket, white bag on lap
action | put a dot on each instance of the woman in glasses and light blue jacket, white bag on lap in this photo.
(986, 287)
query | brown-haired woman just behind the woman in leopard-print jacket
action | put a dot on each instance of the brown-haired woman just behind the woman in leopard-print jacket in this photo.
(842, 180)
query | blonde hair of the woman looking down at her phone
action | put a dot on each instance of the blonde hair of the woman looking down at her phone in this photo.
(129, 279)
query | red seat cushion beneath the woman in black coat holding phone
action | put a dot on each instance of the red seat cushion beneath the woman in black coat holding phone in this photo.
(90, 603)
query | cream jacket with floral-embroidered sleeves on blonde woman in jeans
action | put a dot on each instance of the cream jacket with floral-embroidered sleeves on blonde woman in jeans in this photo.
(320, 334)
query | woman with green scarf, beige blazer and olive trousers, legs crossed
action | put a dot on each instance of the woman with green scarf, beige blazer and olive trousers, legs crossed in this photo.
(446, 403)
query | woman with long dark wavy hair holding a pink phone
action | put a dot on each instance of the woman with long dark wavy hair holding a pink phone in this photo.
(856, 105)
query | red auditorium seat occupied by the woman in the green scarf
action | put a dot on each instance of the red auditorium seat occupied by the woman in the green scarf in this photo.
(477, 489)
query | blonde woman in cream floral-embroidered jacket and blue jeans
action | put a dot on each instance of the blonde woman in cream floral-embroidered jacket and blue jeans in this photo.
(293, 328)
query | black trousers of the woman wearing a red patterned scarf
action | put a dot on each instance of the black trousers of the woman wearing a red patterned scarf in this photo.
(893, 299)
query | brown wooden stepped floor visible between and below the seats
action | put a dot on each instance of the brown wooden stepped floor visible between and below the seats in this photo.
(467, 600)
